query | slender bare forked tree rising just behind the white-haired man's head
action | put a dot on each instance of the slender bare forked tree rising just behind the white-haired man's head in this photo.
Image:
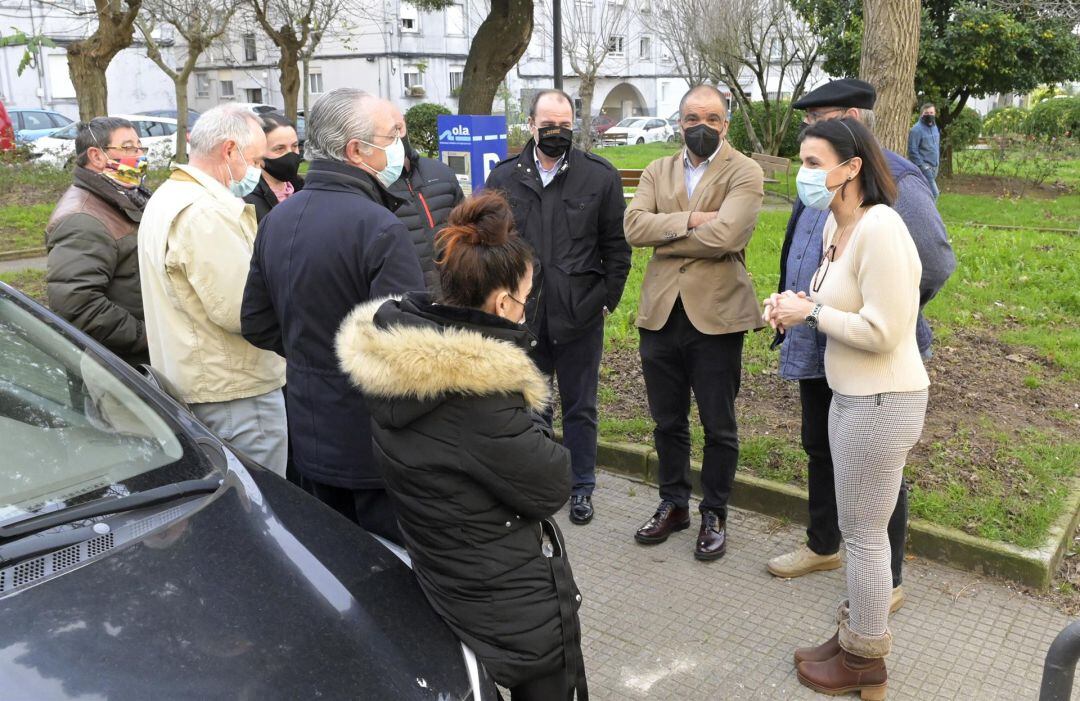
(199, 23)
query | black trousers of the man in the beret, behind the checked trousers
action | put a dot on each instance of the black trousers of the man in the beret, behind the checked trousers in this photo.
(823, 534)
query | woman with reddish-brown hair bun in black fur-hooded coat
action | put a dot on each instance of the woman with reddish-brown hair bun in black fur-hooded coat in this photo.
(471, 468)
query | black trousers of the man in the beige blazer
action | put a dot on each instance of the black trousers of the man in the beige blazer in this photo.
(677, 360)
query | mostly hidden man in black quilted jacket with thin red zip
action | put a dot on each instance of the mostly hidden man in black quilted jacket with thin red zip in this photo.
(430, 191)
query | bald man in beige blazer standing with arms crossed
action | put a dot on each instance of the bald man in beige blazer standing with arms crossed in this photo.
(697, 211)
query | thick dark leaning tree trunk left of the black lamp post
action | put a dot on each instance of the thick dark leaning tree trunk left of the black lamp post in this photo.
(501, 42)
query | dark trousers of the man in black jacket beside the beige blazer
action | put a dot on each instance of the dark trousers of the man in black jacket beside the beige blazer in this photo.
(577, 367)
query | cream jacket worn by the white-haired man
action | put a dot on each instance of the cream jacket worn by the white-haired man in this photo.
(196, 245)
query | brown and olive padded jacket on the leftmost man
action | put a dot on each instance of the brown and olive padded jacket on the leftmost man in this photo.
(92, 274)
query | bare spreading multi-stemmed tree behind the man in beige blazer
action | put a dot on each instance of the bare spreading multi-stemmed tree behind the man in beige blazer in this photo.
(766, 39)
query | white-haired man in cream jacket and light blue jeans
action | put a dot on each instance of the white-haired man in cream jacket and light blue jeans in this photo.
(196, 245)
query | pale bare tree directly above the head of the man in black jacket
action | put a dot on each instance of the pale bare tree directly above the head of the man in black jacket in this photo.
(592, 34)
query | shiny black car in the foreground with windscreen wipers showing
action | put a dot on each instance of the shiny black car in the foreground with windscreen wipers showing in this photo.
(143, 558)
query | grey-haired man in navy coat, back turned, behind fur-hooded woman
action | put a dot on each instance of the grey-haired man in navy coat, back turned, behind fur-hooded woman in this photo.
(321, 253)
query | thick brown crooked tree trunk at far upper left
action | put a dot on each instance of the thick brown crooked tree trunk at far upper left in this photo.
(89, 59)
